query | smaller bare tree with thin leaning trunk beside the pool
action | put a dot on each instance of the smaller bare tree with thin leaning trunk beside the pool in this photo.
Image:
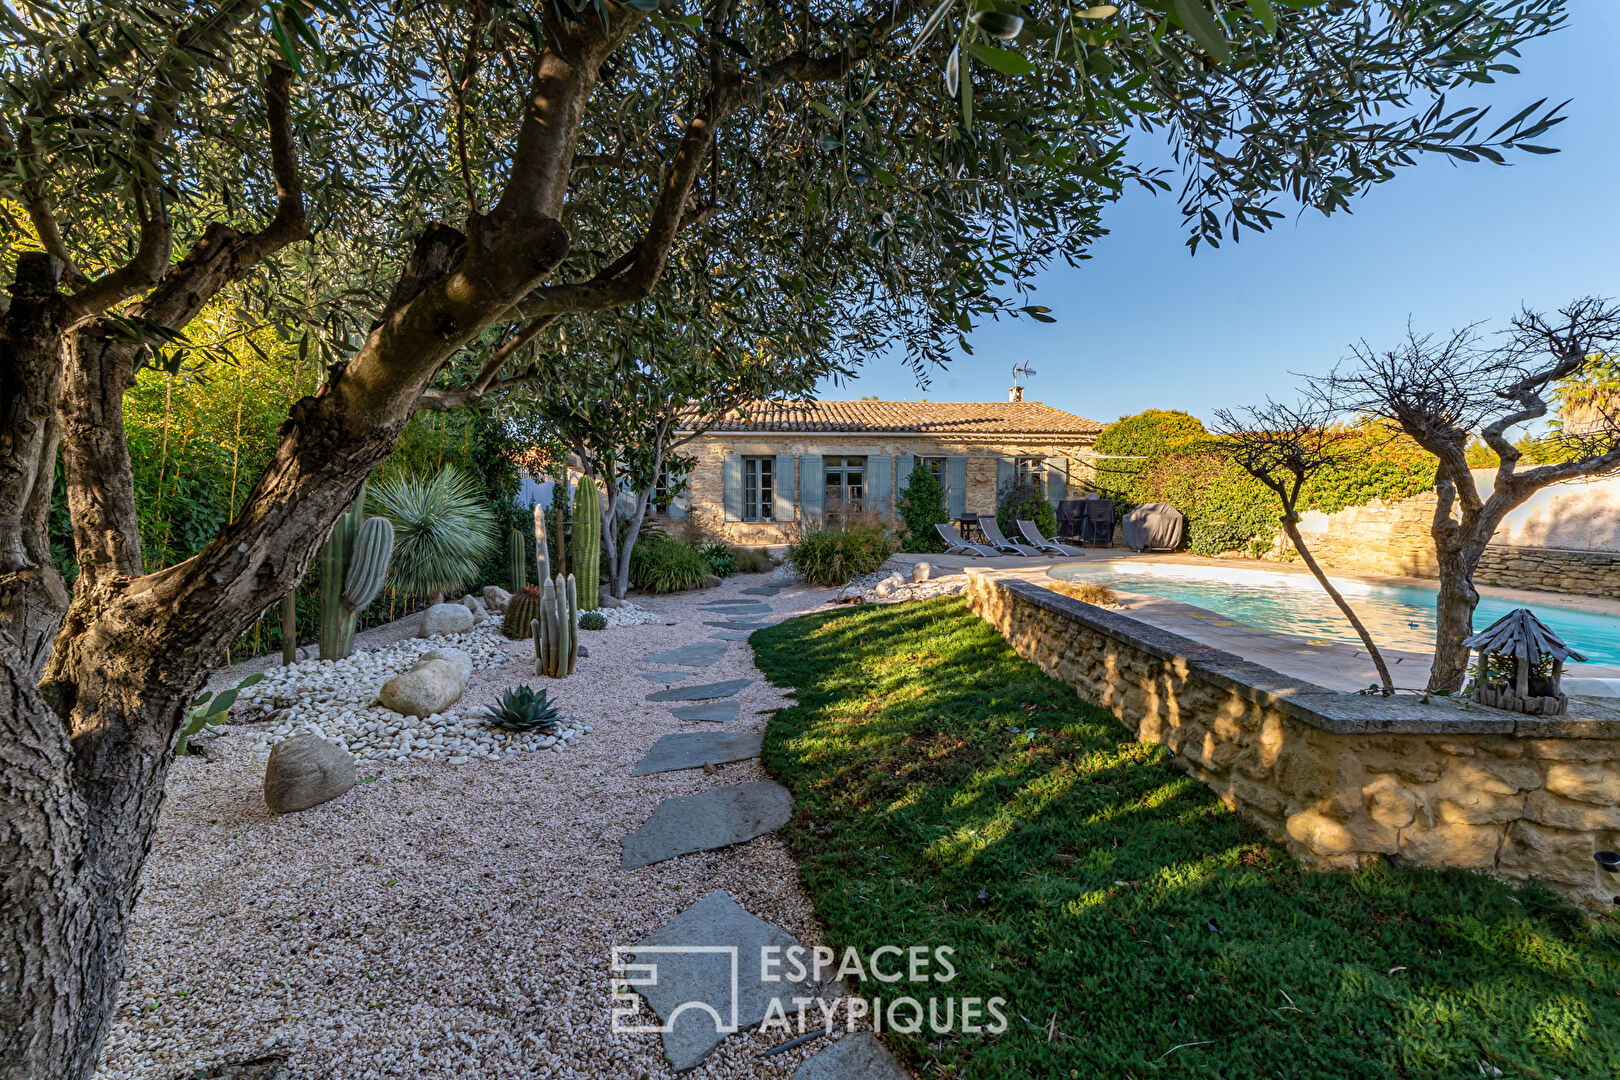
(1284, 446)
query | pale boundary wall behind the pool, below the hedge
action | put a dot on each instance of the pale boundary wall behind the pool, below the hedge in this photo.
(1564, 540)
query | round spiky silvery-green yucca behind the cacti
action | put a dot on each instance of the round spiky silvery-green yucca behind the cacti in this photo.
(443, 532)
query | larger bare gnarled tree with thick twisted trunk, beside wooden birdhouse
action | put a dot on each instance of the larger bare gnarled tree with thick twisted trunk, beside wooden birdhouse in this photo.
(1446, 391)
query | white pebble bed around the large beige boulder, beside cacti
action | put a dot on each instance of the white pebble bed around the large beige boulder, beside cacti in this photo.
(338, 700)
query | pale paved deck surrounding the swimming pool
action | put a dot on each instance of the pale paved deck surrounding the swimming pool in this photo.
(1332, 665)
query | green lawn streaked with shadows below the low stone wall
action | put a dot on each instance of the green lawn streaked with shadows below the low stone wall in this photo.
(949, 794)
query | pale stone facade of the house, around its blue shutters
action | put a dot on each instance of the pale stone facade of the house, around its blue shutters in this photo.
(706, 500)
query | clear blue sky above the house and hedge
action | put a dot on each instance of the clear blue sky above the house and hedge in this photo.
(1148, 326)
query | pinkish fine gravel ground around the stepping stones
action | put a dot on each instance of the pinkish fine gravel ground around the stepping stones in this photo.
(443, 921)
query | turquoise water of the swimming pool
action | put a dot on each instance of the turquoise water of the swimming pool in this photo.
(1399, 616)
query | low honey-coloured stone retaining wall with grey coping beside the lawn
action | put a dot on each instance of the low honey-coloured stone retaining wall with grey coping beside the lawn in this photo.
(1344, 778)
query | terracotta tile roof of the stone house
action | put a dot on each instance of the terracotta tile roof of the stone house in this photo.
(940, 419)
